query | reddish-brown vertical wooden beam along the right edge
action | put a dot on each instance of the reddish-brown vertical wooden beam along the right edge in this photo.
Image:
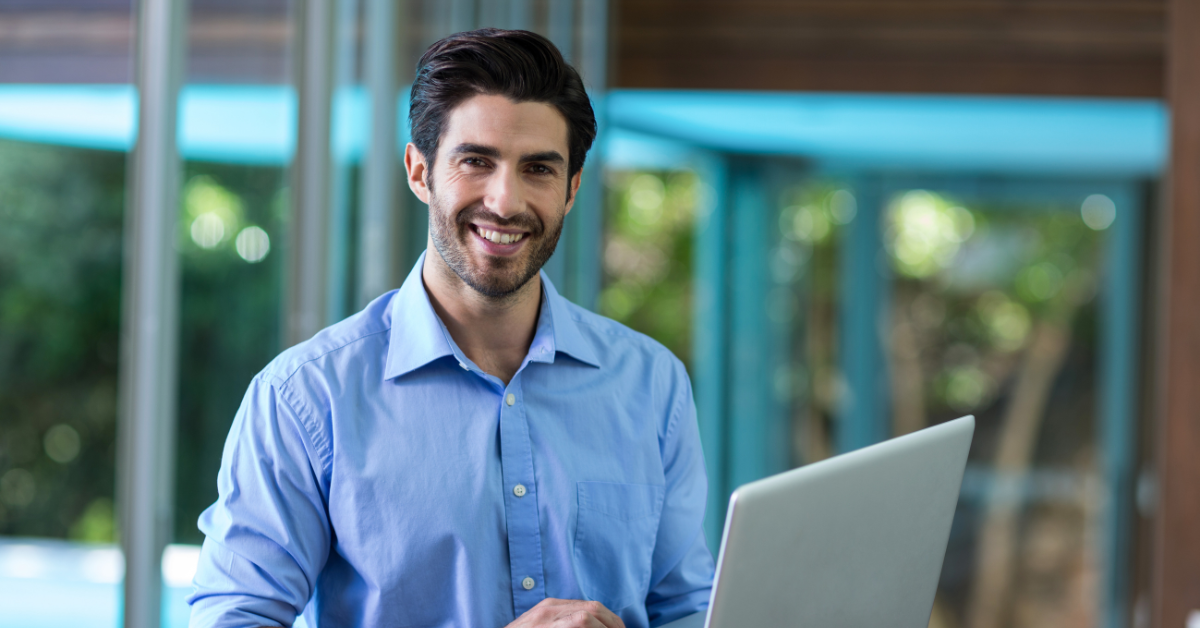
(1177, 578)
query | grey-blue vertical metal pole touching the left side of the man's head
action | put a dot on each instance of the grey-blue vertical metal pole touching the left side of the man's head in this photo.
(377, 228)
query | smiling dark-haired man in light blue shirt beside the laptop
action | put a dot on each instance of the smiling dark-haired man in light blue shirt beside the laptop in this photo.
(471, 450)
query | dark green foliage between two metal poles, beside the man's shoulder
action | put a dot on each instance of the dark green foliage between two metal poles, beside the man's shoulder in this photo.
(230, 314)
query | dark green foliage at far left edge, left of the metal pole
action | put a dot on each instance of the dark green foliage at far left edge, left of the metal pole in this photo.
(61, 276)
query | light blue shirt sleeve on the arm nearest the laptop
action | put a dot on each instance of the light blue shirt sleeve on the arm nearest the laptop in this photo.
(682, 566)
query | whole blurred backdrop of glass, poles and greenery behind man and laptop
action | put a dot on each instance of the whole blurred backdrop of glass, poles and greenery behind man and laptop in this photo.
(850, 220)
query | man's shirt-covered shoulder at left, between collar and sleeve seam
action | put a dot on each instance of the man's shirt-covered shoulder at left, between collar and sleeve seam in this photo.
(358, 338)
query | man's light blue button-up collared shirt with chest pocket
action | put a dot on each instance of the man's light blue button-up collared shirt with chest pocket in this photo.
(375, 476)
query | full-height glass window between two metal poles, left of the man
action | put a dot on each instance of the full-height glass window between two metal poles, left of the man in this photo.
(238, 118)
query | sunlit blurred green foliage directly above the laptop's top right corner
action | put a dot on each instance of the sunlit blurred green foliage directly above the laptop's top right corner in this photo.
(973, 284)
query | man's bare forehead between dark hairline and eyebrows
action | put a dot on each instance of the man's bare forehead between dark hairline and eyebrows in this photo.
(497, 122)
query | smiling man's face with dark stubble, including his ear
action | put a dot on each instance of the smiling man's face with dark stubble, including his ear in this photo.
(497, 193)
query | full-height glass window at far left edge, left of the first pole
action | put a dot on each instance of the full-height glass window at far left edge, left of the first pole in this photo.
(65, 123)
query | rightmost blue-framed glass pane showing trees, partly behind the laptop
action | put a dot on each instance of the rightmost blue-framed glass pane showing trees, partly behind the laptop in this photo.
(994, 315)
